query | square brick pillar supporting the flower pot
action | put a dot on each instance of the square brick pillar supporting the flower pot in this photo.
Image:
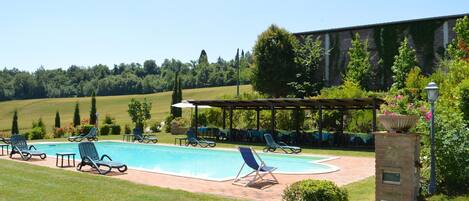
(397, 169)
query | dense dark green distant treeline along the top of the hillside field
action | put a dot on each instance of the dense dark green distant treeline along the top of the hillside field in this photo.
(122, 79)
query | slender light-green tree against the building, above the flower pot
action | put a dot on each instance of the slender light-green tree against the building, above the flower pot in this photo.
(404, 61)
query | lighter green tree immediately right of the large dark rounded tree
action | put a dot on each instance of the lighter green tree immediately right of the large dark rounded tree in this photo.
(308, 58)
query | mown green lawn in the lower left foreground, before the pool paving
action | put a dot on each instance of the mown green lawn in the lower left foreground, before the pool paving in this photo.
(19, 181)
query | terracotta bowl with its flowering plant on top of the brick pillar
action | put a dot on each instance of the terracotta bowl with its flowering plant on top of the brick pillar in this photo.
(399, 115)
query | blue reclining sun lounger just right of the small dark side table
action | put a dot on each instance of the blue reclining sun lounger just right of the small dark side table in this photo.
(89, 156)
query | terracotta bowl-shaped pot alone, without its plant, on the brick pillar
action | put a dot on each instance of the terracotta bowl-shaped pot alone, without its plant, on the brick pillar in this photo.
(398, 123)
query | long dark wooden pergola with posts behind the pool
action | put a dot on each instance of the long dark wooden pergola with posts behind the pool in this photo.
(319, 104)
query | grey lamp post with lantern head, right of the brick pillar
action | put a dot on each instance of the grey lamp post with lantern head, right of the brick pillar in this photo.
(432, 92)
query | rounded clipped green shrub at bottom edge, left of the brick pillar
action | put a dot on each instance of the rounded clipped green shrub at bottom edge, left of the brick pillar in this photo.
(314, 190)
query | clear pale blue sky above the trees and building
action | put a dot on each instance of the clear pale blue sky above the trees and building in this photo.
(57, 33)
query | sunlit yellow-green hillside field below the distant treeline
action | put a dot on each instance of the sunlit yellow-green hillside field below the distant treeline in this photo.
(116, 106)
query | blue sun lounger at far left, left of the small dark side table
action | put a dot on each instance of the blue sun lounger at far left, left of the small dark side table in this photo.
(20, 146)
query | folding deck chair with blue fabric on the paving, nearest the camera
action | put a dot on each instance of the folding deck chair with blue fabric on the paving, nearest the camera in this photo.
(259, 170)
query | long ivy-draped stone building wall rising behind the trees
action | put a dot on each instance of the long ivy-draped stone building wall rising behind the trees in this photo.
(428, 36)
